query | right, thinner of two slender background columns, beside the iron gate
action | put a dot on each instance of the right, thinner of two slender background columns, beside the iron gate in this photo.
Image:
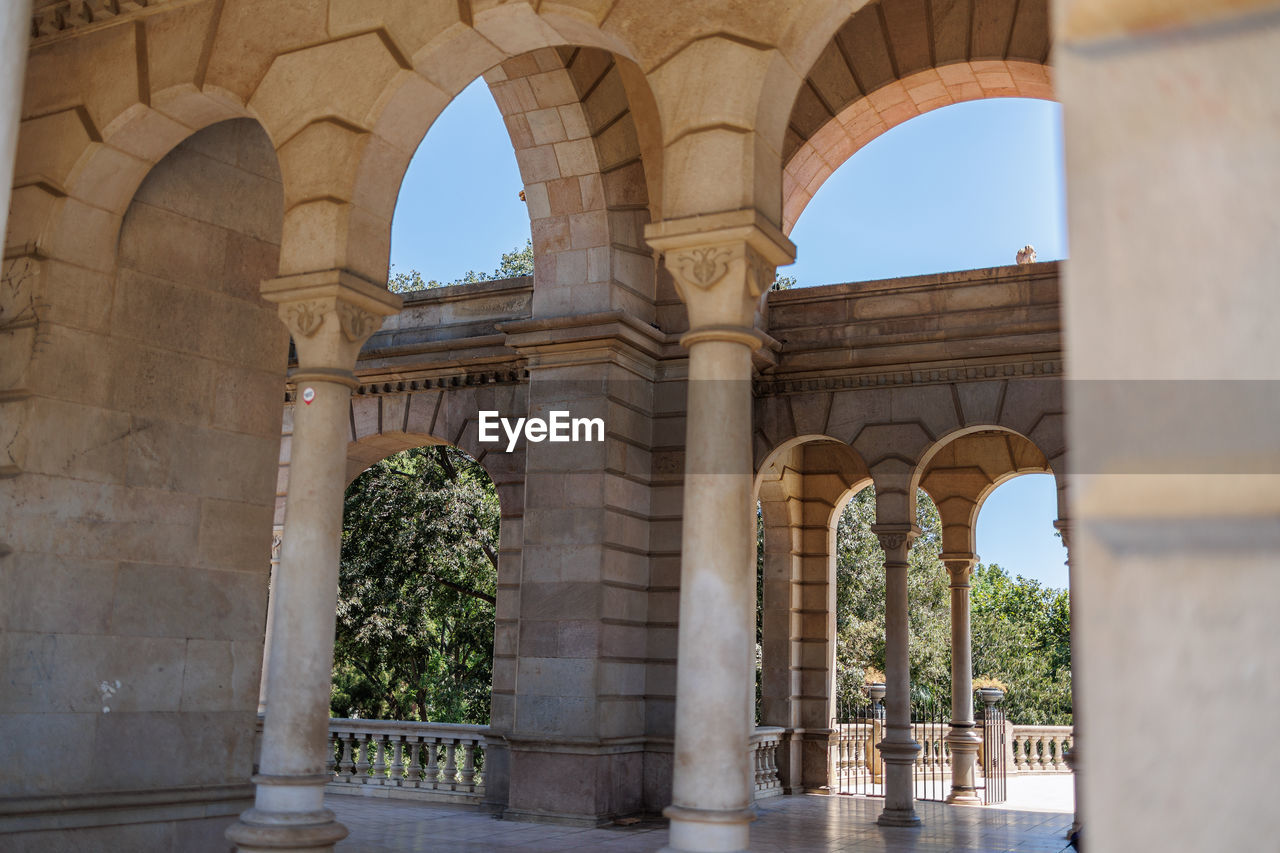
(963, 738)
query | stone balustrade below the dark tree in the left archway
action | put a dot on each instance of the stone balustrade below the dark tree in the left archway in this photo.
(437, 761)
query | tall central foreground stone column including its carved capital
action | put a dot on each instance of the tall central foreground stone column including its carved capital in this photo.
(723, 266)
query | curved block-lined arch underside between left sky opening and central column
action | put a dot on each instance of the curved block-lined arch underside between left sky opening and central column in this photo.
(584, 162)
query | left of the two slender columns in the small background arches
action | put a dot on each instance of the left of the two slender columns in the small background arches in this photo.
(898, 750)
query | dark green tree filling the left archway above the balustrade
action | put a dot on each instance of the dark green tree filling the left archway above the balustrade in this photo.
(417, 591)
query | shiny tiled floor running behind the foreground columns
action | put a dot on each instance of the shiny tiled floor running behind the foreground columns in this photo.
(787, 825)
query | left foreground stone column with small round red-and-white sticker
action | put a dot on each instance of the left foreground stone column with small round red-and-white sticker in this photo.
(330, 314)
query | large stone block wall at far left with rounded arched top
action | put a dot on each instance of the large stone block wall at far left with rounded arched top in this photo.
(136, 587)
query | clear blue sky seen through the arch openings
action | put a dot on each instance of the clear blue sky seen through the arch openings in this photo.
(961, 188)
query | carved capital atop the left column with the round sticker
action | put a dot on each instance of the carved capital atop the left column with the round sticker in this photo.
(331, 314)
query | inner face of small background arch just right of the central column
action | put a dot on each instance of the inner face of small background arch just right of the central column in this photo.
(802, 489)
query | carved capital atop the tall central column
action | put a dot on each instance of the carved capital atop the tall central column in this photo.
(723, 264)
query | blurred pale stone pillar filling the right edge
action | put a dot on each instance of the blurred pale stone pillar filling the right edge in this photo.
(1172, 118)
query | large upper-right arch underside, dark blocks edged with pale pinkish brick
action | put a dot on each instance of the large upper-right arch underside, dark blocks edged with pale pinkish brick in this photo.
(890, 62)
